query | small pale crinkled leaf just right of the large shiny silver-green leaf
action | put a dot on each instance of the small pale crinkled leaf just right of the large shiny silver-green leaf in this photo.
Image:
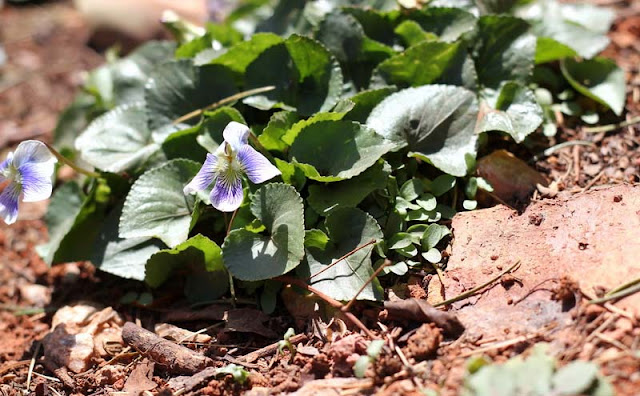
(515, 111)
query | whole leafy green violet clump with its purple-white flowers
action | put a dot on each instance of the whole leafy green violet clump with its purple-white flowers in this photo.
(327, 144)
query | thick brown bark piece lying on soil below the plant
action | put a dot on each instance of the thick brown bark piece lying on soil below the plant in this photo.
(173, 357)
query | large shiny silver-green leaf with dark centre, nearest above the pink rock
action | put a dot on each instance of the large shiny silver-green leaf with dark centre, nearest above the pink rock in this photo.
(436, 123)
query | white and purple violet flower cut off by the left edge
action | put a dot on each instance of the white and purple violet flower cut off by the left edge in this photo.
(29, 172)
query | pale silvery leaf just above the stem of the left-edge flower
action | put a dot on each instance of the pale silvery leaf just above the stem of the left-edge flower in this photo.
(119, 140)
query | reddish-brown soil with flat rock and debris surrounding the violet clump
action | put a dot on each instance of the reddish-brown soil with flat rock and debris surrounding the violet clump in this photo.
(578, 238)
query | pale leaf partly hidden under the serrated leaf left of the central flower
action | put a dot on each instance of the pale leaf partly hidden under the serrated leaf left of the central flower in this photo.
(122, 257)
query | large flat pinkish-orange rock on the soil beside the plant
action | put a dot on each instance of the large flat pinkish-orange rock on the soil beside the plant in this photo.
(592, 238)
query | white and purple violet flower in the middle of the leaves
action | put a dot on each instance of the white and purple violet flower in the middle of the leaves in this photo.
(226, 165)
